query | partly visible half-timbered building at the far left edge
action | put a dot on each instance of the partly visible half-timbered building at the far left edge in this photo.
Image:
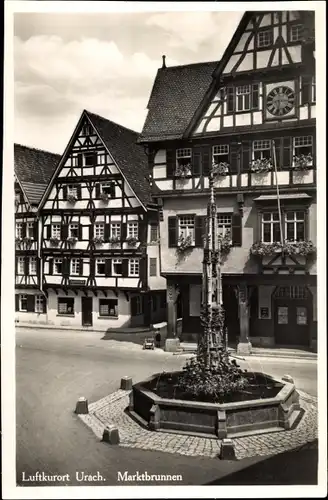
(33, 169)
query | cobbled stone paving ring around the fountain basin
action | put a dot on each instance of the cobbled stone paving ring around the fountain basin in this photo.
(110, 411)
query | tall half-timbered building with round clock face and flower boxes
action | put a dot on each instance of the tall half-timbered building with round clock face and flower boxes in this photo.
(251, 117)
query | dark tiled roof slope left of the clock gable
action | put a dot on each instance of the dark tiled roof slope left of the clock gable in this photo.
(175, 97)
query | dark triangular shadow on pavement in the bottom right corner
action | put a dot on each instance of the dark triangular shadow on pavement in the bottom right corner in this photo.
(294, 467)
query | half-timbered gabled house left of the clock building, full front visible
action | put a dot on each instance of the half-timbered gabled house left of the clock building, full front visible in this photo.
(100, 233)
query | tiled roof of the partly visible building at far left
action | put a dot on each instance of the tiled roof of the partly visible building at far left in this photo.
(33, 169)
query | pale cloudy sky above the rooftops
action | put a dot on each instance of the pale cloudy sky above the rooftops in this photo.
(105, 63)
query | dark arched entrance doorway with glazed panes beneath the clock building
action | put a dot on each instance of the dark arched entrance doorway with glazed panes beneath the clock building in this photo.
(292, 309)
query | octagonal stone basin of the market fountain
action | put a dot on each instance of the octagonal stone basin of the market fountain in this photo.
(217, 420)
